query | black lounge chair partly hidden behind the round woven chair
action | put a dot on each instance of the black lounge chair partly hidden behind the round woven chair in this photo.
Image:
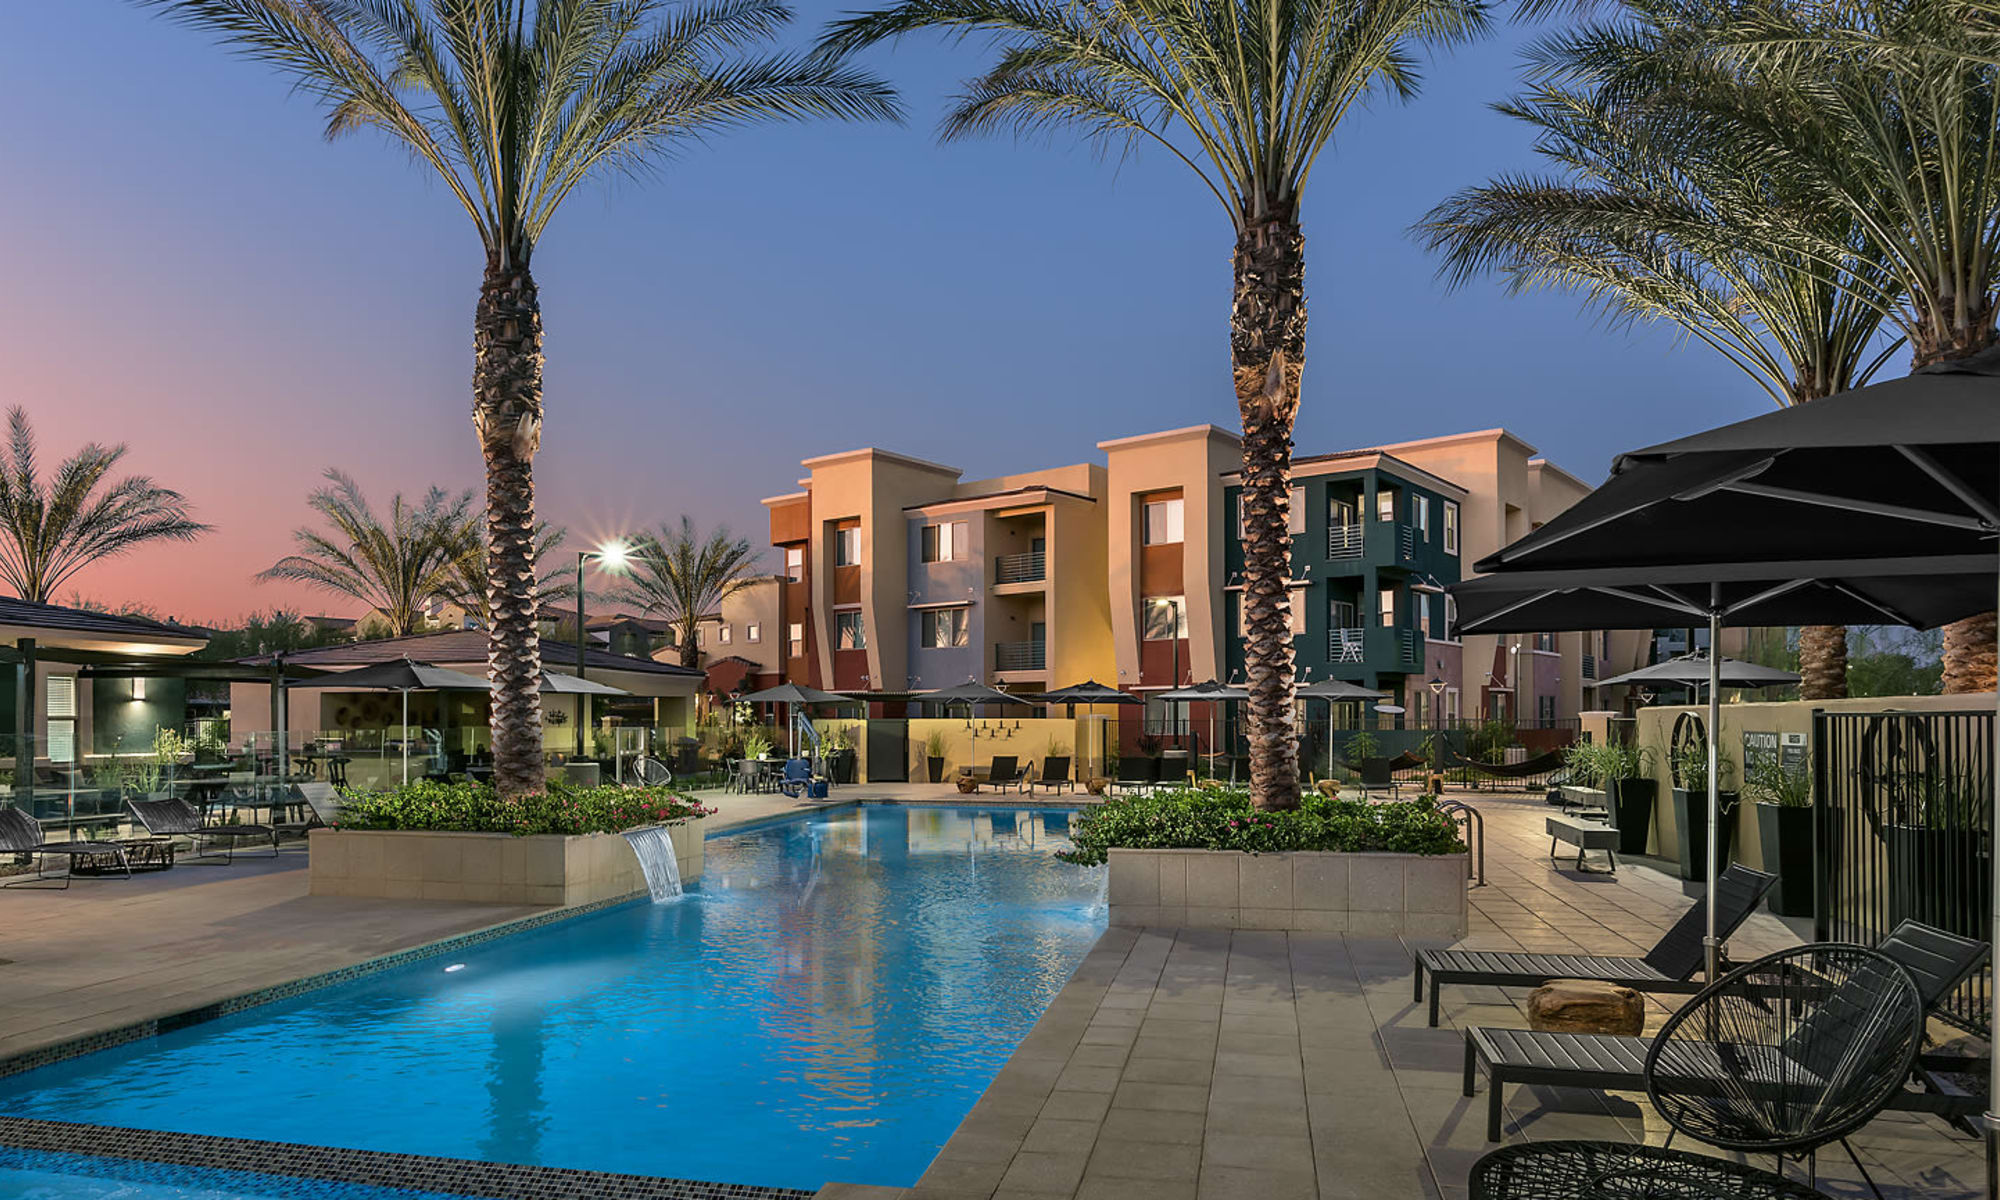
(1615, 1063)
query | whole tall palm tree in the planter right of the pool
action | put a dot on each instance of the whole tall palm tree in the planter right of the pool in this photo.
(1245, 93)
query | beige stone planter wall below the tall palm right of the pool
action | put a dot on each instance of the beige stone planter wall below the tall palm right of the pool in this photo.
(1371, 895)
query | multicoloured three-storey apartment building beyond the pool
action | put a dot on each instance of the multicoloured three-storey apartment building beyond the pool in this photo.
(901, 577)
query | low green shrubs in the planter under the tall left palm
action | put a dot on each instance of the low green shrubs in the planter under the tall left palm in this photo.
(477, 809)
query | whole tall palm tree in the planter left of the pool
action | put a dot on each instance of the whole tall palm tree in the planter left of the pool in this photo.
(513, 105)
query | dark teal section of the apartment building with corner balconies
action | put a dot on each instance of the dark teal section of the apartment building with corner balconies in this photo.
(1375, 541)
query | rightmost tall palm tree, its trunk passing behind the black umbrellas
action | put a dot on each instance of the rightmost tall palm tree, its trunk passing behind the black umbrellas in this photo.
(1901, 135)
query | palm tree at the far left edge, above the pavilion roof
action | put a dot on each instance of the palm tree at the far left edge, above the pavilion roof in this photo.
(55, 527)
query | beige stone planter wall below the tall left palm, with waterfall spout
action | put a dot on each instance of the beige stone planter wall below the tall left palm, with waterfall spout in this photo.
(495, 869)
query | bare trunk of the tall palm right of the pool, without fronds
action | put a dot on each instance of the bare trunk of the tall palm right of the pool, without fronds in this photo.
(1267, 359)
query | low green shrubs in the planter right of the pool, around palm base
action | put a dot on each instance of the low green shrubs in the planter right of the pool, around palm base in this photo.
(1213, 819)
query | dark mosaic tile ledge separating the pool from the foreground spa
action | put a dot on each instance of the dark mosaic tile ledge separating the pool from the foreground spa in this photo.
(459, 1177)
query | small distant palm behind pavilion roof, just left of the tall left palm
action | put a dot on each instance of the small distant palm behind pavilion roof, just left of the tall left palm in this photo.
(395, 567)
